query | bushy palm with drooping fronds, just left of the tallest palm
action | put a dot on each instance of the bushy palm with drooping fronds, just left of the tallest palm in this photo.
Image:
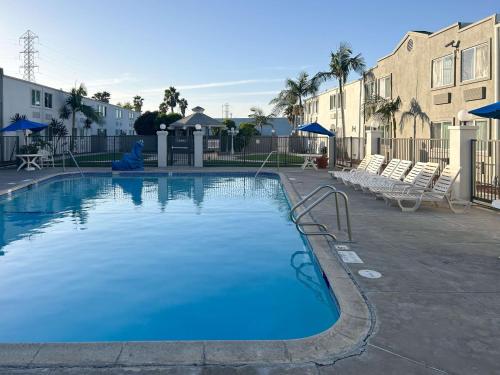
(293, 94)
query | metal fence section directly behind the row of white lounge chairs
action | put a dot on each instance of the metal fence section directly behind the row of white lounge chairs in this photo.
(418, 150)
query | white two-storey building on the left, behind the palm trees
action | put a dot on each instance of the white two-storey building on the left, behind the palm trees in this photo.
(41, 103)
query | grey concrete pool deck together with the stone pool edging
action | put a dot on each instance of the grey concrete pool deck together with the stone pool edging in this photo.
(436, 304)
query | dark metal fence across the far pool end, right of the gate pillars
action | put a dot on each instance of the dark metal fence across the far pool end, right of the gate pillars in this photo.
(238, 150)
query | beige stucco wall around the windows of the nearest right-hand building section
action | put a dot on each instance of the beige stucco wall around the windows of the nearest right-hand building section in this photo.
(411, 72)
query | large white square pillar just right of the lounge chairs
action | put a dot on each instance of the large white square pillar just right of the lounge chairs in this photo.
(460, 157)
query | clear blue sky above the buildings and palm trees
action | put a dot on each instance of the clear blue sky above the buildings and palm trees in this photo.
(214, 51)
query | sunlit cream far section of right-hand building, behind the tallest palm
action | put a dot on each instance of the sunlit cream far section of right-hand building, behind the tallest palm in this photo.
(324, 109)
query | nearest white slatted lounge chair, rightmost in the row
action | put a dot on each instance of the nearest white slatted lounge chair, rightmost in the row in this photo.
(439, 193)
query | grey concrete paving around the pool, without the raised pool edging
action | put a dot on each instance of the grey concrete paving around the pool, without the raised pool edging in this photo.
(437, 303)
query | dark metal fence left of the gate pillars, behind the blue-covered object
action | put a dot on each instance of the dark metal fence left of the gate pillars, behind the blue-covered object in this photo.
(95, 151)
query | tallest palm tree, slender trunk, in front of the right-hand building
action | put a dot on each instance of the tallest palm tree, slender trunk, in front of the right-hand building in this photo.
(342, 63)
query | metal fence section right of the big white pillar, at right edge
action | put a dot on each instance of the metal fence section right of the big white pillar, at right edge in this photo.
(485, 178)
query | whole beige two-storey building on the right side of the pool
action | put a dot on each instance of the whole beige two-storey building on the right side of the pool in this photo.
(455, 68)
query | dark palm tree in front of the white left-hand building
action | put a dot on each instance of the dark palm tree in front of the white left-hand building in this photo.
(74, 104)
